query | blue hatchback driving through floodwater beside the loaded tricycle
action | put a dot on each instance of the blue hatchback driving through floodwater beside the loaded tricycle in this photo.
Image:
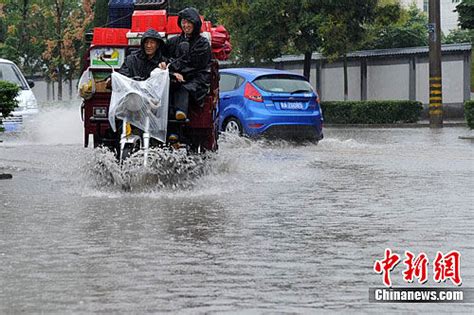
(268, 102)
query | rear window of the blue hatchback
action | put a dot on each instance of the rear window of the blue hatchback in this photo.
(278, 83)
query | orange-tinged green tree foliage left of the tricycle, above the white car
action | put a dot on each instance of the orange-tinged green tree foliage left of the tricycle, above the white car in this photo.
(45, 35)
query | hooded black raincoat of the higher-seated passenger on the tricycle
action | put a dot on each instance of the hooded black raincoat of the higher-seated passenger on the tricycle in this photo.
(192, 59)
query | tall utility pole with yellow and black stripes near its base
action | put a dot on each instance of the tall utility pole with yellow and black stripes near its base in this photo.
(436, 95)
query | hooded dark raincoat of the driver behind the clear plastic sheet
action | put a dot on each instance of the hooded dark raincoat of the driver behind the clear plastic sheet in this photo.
(137, 64)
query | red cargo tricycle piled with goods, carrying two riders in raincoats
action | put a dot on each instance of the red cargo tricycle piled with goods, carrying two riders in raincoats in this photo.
(189, 66)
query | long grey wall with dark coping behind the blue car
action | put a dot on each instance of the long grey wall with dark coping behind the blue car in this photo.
(389, 74)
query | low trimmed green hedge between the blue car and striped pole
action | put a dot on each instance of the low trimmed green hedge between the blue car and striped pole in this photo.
(371, 112)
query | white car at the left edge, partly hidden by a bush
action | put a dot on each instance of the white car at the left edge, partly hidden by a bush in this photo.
(27, 104)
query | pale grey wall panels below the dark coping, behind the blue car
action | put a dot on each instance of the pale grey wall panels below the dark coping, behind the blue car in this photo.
(387, 79)
